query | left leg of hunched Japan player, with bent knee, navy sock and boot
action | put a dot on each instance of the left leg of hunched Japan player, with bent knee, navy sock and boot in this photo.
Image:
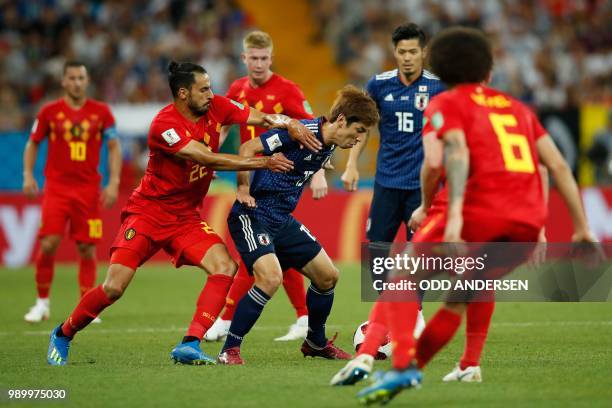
(268, 278)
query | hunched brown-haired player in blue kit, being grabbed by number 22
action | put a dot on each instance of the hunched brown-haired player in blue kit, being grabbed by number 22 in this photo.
(271, 240)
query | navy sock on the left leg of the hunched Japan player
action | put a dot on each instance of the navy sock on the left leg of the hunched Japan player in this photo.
(247, 312)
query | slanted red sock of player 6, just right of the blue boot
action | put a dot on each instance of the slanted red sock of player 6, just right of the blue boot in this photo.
(438, 332)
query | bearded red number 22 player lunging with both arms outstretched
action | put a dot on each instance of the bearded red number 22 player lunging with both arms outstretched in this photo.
(163, 211)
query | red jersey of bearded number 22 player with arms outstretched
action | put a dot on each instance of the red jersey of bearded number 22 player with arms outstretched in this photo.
(173, 188)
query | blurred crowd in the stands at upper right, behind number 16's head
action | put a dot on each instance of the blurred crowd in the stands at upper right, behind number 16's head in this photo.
(554, 54)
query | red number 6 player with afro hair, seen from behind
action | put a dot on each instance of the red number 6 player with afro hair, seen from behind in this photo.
(491, 144)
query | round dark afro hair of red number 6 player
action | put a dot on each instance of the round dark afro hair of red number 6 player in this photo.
(461, 55)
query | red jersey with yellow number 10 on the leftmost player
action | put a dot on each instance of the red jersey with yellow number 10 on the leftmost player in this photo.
(75, 138)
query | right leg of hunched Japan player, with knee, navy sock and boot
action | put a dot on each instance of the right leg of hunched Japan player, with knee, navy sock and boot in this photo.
(323, 277)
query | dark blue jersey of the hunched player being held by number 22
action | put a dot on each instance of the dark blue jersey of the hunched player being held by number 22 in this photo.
(277, 194)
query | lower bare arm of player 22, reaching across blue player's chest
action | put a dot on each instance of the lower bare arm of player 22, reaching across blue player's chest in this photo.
(200, 154)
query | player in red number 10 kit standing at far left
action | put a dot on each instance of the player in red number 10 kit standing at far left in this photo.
(76, 128)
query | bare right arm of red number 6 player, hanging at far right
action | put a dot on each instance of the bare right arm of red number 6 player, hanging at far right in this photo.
(564, 179)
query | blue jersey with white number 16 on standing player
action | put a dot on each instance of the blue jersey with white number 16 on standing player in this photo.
(401, 108)
